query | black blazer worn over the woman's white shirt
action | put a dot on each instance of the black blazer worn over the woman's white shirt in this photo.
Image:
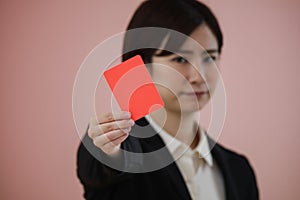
(102, 182)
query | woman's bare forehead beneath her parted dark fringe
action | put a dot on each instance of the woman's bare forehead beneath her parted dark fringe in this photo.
(201, 39)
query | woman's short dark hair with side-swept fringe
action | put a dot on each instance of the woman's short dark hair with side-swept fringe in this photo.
(183, 16)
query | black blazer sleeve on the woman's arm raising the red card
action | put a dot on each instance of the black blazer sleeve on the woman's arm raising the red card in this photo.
(97, 177)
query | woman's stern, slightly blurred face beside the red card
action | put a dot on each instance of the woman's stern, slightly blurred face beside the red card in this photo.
(186, 80)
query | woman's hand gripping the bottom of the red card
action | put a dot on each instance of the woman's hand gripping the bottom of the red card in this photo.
(109, 130)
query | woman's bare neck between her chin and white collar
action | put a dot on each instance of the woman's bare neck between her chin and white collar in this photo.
(183, 127)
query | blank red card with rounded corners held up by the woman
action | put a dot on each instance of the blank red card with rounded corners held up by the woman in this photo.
(133, 88)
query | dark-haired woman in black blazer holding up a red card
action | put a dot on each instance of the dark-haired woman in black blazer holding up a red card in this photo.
(193, 173)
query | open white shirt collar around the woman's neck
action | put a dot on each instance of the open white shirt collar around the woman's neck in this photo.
(173, 144)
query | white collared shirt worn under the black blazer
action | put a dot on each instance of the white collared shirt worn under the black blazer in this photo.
(201, 174)
